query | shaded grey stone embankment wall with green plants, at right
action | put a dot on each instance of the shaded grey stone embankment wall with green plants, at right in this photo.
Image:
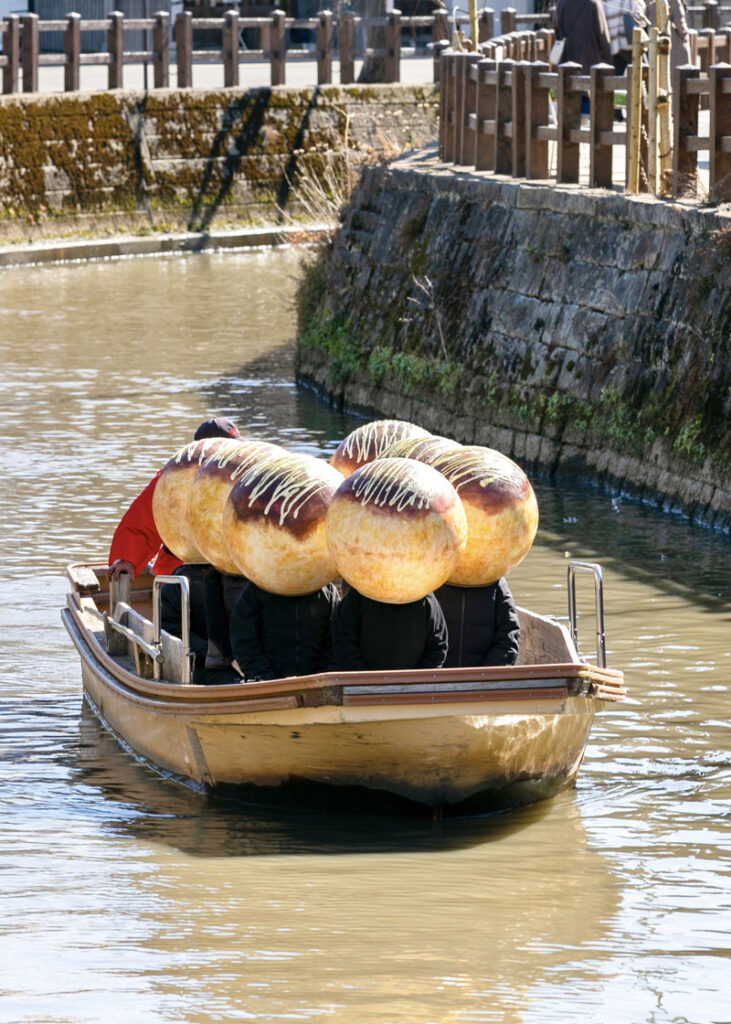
(586, 333)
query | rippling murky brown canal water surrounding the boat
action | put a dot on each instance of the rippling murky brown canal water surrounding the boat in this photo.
(127, 899)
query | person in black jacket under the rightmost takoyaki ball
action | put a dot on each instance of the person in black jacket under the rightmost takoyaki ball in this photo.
(483, 625)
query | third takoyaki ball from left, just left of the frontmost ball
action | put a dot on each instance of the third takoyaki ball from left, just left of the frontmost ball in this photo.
(274, 524)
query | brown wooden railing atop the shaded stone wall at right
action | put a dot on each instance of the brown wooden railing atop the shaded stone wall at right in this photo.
(498, 114)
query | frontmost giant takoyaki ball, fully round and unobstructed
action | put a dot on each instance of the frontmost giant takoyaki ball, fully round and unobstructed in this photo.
(397, 529)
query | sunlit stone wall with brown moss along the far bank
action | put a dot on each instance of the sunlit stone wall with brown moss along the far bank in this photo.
(189, 158)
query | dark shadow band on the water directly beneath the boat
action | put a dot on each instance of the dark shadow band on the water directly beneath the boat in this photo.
(155, 809)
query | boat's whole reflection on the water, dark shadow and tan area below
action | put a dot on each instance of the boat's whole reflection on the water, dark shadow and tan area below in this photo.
(312, 904)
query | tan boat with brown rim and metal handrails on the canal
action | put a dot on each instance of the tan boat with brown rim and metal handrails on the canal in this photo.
(458, 740)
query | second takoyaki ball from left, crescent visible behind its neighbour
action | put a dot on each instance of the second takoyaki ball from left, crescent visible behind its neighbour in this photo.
(209, 491)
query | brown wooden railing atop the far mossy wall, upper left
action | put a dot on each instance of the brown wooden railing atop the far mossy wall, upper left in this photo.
(23, 54)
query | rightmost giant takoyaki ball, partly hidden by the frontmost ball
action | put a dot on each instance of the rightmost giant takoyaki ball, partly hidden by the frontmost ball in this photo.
(501, 508)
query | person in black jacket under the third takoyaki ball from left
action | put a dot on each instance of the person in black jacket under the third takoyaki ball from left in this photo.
(275, 636)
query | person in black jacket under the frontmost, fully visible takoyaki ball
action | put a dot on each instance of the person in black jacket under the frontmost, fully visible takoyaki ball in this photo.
(373, 635)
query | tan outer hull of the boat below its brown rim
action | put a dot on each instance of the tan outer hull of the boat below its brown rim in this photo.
(436, 755)
